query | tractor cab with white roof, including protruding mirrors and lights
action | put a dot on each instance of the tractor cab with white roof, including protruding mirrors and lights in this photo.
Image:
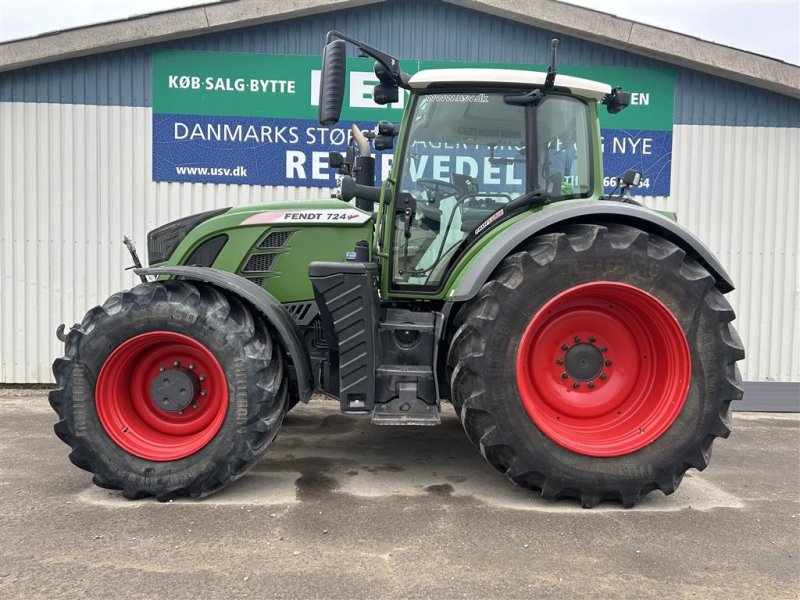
(480, 146)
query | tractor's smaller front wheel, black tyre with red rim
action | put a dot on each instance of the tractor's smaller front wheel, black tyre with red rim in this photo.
(169, 389)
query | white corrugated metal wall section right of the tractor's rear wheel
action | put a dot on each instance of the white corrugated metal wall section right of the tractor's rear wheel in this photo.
(737, 189)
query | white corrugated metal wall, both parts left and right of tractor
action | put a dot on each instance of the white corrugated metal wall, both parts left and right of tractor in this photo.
(76, 178)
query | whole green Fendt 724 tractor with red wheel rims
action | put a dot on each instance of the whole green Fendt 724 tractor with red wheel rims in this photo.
(582, 338)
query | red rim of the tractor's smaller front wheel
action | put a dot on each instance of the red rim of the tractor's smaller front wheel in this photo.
(133, 417)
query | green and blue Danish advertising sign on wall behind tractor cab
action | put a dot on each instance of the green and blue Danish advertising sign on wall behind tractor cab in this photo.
(252, 118)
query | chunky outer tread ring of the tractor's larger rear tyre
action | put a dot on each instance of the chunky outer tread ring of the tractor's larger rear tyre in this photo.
(467, 355)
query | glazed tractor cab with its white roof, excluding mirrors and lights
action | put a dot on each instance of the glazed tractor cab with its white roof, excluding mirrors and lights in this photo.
(475, 146)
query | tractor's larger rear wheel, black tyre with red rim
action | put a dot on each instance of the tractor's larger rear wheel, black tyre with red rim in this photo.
(599, 363)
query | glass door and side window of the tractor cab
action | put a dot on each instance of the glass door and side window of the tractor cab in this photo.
(466, 156)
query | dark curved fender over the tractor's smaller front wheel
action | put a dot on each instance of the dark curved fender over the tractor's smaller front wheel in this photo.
(265, 303)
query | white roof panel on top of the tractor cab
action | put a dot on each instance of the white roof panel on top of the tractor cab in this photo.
(580, 87)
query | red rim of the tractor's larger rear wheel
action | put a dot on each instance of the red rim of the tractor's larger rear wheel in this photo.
(603, 369)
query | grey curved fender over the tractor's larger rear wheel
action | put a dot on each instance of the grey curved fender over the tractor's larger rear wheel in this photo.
(478, 269)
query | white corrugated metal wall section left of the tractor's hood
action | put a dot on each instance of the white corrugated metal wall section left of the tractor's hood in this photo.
(73, 180)
